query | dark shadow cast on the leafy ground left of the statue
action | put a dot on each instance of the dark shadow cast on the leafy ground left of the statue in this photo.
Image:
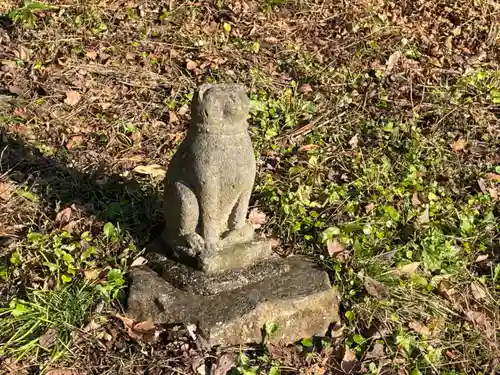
(134, 206)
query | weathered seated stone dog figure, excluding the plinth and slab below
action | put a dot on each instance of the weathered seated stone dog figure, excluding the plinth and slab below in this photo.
(210, 178)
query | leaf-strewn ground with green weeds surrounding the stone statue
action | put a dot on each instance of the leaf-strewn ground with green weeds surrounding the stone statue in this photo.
(377, 129)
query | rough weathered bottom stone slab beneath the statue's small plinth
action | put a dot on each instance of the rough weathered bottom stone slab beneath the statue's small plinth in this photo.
(299, 299)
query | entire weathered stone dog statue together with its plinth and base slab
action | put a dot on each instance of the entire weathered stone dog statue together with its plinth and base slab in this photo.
(214, 272)
